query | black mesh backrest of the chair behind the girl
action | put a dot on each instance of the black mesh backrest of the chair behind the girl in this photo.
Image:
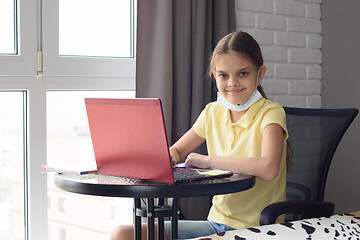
(314, 135)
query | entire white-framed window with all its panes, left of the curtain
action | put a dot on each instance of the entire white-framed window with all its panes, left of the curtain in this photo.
(45, 72)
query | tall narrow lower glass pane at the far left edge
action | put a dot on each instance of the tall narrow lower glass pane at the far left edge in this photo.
(11, 166)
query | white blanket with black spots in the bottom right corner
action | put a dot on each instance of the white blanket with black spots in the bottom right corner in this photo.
(342, 226)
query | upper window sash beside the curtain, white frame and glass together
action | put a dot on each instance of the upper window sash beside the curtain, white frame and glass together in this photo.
(65, 52)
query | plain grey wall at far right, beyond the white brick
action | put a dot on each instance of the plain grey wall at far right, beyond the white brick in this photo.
(341, 86)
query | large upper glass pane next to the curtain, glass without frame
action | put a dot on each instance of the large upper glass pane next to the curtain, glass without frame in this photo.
(95, 28)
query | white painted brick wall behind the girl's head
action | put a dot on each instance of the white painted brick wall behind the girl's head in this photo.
(289, 33)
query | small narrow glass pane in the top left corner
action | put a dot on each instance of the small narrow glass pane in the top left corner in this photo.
(7, 27)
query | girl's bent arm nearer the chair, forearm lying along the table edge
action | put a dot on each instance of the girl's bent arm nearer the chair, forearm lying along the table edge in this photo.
(265, 167)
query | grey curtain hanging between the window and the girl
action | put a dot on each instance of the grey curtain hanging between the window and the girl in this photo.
(175, 39)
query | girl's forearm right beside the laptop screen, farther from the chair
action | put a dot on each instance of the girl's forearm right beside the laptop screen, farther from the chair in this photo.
(187, 143)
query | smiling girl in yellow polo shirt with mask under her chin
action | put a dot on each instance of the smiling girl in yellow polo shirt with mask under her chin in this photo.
(245, 133)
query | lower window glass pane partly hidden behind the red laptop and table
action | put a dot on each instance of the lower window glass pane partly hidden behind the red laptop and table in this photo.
(76, 216)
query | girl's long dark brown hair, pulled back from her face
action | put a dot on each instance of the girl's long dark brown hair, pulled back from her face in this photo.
(245, 45)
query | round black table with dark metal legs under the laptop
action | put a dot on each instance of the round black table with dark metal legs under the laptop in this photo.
(102, 185)
